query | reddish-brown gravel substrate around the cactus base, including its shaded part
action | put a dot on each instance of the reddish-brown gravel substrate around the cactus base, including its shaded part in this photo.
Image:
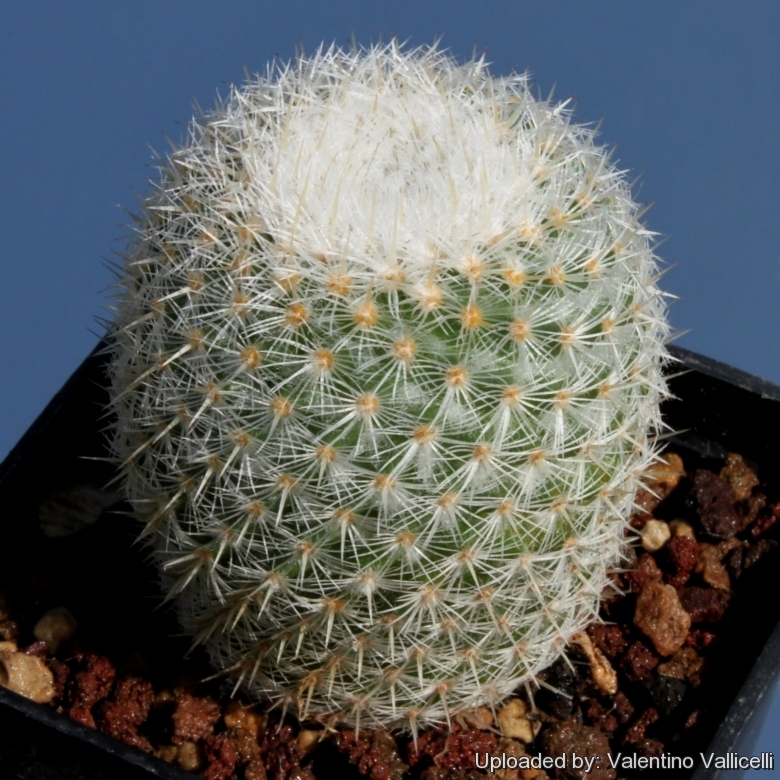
(79, 632)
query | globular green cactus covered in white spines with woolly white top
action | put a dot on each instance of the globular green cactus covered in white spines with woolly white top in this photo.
(387, 371)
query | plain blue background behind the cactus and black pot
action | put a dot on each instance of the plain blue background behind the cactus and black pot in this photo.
(690, 92)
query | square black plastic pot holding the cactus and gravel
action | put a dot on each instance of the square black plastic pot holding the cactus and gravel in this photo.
(717, 410)
